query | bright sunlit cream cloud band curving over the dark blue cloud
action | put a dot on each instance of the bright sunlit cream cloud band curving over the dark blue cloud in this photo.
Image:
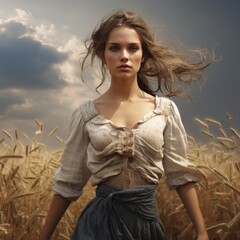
(68, 70)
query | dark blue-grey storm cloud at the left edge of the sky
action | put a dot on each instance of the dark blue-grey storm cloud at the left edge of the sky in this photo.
(26, 63)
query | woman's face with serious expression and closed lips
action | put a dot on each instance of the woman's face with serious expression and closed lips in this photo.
(123, 53)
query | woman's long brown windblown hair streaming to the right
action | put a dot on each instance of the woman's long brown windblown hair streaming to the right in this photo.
(169, 68)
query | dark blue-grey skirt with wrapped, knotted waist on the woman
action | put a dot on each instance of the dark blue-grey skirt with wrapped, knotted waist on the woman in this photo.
(121, 215)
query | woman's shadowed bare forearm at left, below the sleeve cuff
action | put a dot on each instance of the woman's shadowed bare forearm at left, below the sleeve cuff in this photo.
(57, 208)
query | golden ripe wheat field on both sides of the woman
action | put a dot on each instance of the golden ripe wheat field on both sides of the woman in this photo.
(27, 168)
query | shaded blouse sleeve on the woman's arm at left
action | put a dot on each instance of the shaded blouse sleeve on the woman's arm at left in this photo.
(73, 173)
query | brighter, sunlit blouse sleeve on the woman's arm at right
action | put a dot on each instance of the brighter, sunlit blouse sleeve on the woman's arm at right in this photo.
(177, 168)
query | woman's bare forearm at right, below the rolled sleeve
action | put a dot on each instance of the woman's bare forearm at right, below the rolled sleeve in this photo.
(189, 198)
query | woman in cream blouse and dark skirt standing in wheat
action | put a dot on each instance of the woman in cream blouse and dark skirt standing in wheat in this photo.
(128, 137)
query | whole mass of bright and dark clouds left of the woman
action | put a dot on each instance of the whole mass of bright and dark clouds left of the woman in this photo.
(39, 77)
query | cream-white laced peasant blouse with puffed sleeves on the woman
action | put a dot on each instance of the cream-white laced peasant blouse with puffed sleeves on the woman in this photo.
(99, 148)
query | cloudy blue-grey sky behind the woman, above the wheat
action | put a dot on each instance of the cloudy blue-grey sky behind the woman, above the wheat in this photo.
(40, 51)
